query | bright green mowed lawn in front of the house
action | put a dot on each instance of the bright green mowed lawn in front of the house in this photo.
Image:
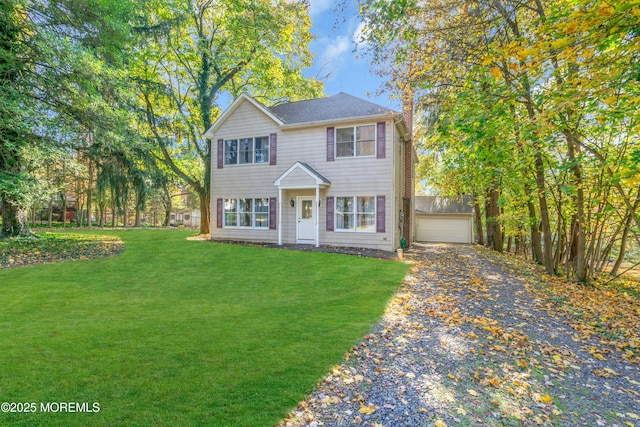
(176, 332)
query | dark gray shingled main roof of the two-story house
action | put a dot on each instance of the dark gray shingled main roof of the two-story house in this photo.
(340, 106)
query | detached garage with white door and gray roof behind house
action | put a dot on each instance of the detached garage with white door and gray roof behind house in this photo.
(444, 219)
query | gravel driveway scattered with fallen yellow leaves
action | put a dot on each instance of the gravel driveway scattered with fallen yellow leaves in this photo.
(465, 341)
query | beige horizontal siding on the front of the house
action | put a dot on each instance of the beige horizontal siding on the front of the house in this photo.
(364, 176)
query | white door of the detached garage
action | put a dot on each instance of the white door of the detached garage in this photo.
(450, 229)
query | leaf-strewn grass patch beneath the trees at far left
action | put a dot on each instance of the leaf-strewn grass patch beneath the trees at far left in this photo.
(56, 247)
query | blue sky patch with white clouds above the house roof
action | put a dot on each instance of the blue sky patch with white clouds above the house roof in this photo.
(348, 71)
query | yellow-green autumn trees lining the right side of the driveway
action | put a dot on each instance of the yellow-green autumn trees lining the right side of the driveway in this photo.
(532, 107)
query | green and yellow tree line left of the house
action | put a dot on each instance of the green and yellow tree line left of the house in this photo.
(115, 95)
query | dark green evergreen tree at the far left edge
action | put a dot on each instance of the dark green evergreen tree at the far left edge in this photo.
(58, 63)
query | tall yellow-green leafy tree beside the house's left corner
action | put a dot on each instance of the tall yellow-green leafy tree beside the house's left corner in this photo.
(200, 54)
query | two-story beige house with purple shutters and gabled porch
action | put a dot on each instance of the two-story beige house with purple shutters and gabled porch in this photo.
(334, 171)
